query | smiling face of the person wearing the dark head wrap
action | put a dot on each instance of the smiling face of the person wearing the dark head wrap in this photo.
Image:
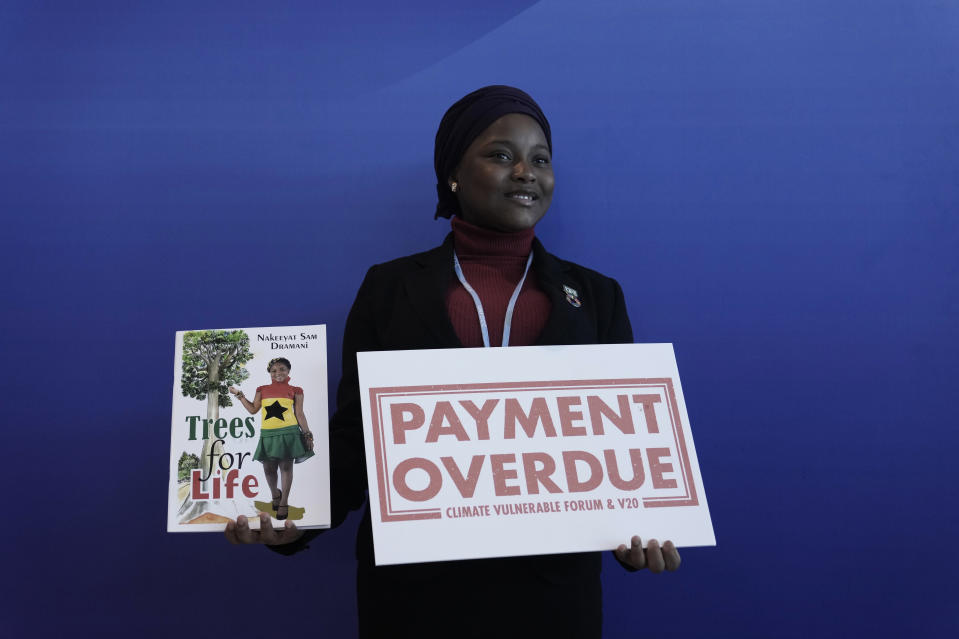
(505, 179)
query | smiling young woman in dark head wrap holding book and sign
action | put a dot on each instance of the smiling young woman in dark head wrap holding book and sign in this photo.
(493, 161)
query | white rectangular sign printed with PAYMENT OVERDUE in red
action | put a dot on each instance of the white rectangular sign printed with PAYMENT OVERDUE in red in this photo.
(489, 452)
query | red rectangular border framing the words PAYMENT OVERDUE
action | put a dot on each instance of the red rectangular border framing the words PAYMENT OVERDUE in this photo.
(688, 497)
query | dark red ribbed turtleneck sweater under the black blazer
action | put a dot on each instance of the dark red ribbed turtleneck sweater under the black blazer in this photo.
(493, 263)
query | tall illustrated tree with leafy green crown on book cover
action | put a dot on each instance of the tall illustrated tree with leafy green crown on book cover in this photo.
(212, 362)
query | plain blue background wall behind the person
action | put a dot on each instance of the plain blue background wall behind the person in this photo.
(775, 184)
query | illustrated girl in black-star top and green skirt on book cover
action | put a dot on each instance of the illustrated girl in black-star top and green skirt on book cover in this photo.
(285, 437)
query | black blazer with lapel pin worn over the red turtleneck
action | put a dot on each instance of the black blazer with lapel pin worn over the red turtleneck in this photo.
(401, 305)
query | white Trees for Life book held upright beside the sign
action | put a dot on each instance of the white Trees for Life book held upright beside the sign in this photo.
(249, 432)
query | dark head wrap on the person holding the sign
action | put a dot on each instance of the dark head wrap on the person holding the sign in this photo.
(464, 121)
